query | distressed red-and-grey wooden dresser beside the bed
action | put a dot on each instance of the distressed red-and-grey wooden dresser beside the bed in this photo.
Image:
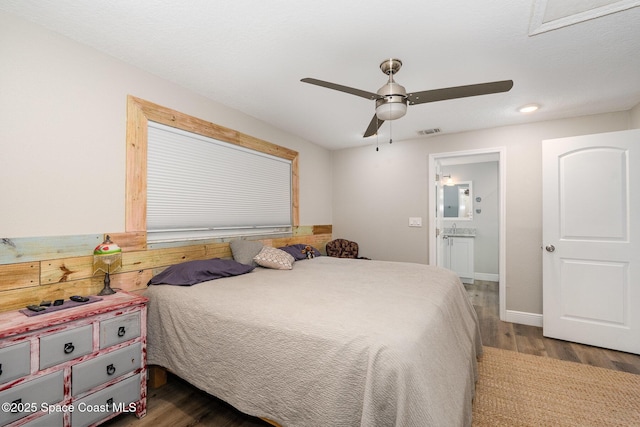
(74, 367)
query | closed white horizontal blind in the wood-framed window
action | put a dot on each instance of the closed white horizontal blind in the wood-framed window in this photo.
(199, 187)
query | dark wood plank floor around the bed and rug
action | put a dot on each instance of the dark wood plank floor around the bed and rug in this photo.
(181, 405)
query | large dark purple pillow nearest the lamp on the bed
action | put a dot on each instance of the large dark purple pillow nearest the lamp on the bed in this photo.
(192, 272)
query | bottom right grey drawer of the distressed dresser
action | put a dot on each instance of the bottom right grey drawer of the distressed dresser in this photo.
(112, 399)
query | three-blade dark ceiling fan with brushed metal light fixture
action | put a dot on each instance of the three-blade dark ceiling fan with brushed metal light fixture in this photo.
(392, 98)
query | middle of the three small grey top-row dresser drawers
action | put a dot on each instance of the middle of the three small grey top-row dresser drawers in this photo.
(67, 345)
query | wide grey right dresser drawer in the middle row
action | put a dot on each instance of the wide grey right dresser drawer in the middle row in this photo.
(86, 375)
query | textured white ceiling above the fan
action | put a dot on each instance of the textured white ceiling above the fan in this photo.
(251, 55)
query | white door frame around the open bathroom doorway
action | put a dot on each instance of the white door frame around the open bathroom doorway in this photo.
(502, 230)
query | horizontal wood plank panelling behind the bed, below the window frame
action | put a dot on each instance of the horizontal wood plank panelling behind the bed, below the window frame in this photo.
(51, 275)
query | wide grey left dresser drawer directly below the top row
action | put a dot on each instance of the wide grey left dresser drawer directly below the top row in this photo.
(31, 395)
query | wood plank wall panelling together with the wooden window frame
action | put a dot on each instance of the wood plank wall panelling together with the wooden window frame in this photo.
(44, 268)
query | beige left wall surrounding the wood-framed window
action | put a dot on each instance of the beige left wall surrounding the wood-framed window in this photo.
(62, 135)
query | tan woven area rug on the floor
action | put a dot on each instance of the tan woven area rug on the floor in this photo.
(516, 389)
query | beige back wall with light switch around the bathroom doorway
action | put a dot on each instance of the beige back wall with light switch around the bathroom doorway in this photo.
(376, 192)
